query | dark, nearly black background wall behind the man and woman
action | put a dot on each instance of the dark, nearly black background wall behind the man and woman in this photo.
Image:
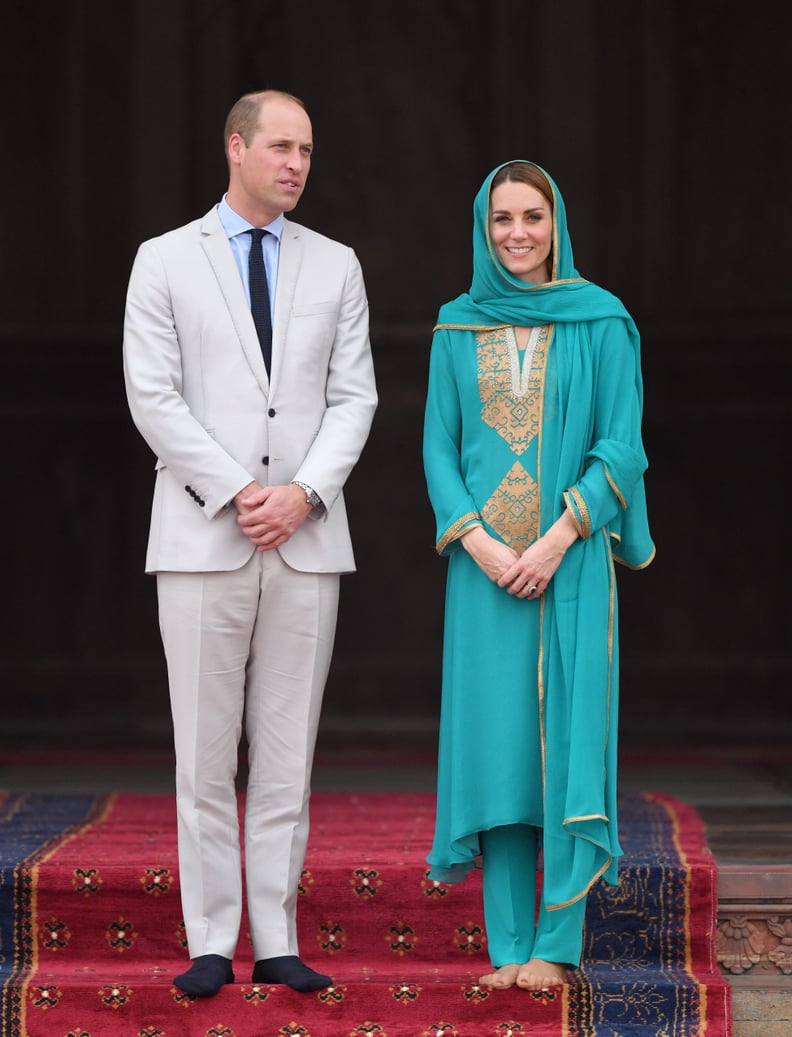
(666, 126)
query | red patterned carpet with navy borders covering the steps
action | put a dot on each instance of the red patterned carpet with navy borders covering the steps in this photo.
(92, 937)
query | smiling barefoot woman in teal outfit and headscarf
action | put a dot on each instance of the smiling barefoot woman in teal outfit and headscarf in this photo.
(534, 466)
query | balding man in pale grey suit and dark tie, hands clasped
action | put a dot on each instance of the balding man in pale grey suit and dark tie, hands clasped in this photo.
(256, 435)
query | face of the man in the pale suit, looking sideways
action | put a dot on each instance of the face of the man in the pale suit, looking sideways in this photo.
(272, 173)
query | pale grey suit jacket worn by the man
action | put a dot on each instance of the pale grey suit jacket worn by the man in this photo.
(200, 395)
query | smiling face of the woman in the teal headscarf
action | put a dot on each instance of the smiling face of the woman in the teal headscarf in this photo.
(521, 229)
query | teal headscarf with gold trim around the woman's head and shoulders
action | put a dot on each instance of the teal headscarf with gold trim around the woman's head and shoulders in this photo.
(499, 298)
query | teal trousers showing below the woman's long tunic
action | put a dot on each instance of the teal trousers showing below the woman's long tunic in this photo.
(518, 929)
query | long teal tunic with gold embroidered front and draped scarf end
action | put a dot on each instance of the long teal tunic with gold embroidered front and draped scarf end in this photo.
(530, 688)
